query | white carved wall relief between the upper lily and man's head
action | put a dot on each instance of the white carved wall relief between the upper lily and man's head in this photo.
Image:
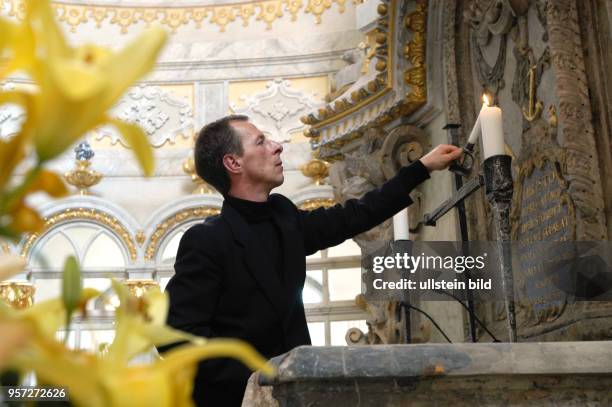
(156, 111)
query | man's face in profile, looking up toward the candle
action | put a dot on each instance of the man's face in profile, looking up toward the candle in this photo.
(261, 162)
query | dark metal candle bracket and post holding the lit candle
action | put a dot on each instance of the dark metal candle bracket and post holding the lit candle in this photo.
(497, 180)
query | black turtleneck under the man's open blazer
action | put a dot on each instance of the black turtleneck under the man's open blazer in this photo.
(265, 235)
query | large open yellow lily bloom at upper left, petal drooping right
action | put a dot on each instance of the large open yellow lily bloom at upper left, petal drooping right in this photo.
(76, 86)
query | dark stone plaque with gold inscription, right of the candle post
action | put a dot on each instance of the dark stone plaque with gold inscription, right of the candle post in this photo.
(546, 214)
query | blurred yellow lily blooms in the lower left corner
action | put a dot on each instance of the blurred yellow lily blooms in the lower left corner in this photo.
(106, 379)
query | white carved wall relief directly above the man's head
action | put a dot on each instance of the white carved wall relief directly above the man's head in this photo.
(277, 110)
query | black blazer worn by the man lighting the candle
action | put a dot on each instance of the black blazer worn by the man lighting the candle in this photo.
(225, 288)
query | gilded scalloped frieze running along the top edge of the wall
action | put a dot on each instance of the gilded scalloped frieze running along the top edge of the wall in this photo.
(267, 11)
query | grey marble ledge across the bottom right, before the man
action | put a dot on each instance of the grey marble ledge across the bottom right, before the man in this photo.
(422, 360)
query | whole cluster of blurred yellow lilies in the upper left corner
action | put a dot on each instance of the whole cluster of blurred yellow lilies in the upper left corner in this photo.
(75, 87)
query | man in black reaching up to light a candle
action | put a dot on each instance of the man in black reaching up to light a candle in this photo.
(241, 274)
